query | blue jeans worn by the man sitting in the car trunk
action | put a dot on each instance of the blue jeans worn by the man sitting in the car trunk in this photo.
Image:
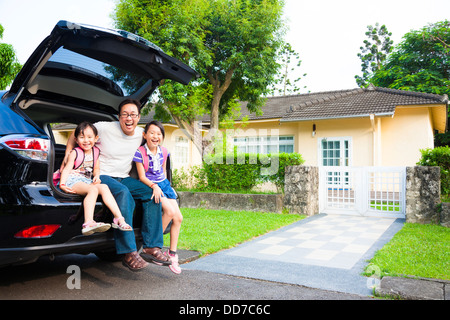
(126, 191)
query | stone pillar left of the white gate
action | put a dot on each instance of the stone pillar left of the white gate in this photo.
(301, 190)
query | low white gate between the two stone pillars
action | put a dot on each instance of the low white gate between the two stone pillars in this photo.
(367, 191)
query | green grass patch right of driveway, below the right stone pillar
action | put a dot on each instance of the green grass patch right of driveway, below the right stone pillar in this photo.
(416, 250)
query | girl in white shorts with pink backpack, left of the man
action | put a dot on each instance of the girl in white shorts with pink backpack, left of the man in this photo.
(81, 176)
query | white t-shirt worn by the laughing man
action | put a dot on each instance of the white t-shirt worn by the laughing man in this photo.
(116, 148)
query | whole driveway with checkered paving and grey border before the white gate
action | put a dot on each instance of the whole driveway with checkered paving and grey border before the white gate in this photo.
(326, 252)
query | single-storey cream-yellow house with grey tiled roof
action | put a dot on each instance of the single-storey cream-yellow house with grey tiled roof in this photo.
(355, 127)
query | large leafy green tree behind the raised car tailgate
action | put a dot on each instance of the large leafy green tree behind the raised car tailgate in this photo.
(233, 44)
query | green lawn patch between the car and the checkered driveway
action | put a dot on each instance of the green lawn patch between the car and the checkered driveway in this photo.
(209, 231)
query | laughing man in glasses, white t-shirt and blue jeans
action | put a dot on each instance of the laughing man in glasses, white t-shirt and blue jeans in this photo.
(118, 142)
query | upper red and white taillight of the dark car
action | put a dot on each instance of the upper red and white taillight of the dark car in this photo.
(30, 147)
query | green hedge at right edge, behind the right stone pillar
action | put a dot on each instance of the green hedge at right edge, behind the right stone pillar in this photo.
(440, 157)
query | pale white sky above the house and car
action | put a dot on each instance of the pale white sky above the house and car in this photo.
(326, 33)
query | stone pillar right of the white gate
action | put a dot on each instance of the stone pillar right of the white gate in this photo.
(423, 192)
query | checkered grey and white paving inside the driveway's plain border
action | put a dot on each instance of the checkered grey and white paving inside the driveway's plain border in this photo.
(334, 241)
